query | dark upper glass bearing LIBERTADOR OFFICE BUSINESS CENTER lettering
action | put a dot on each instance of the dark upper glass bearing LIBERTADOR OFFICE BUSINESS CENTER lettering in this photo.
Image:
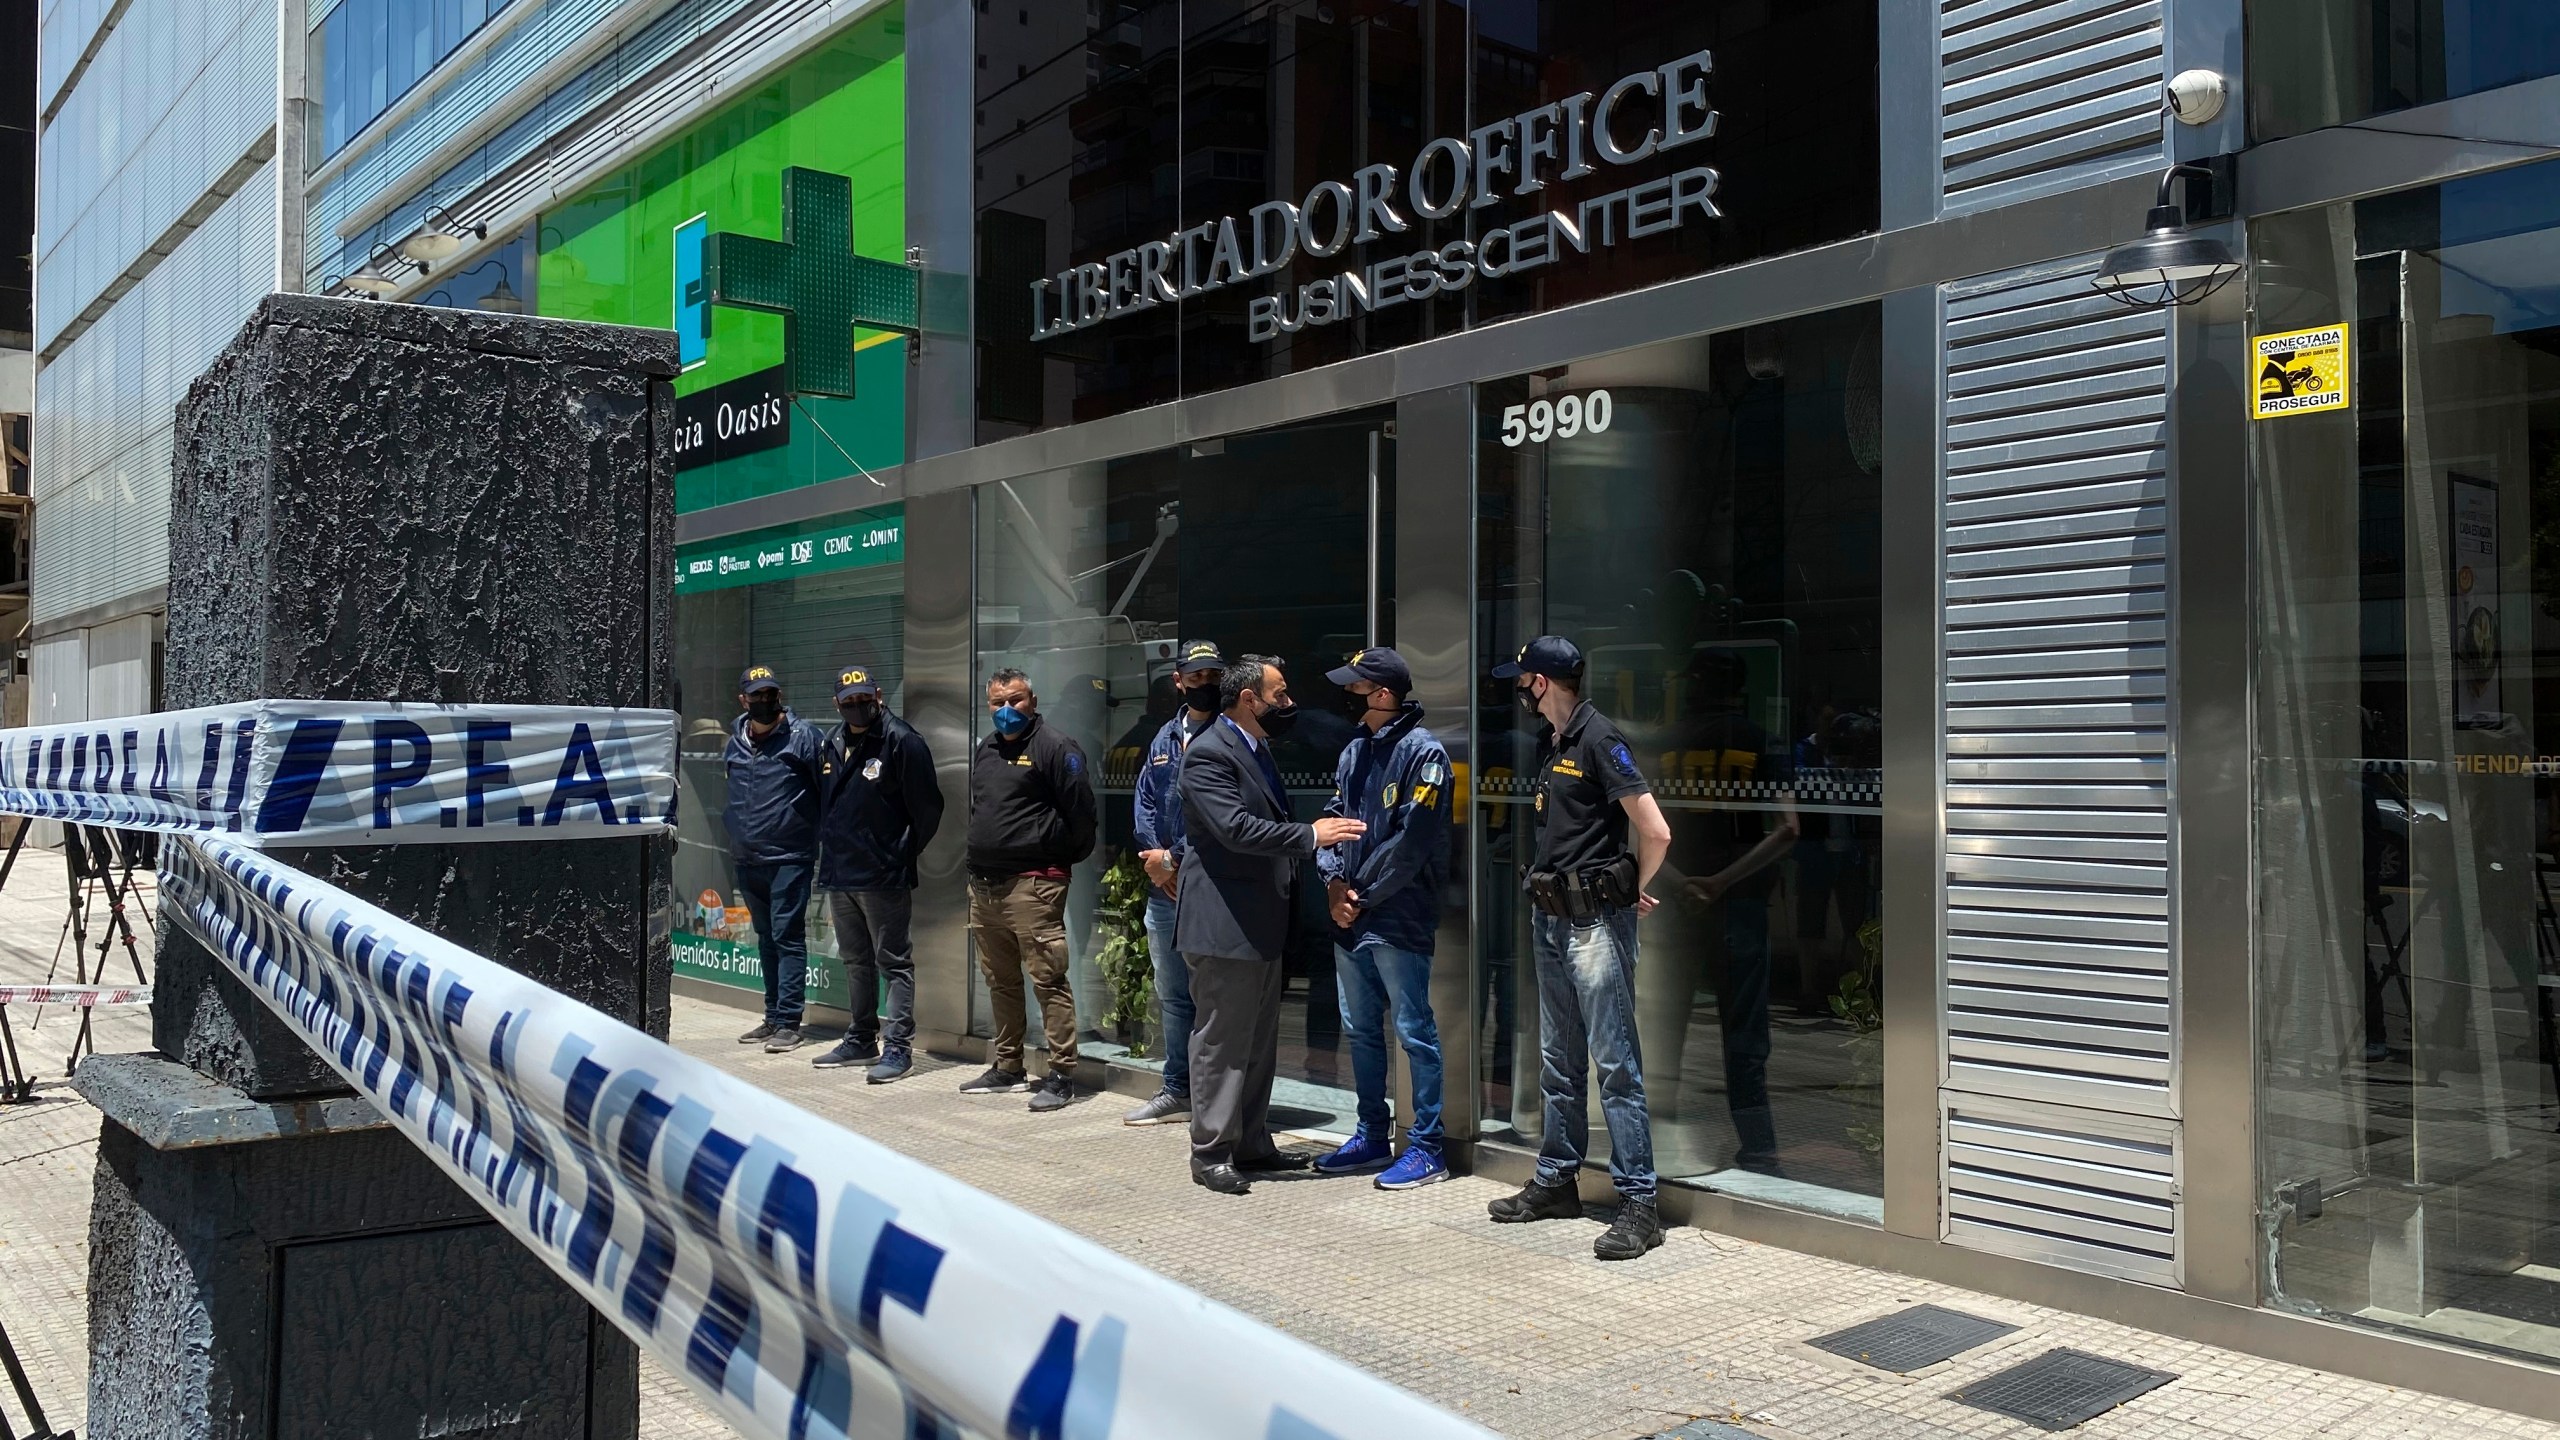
(1128, 124)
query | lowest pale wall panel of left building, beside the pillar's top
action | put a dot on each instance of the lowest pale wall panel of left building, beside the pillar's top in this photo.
(104, 409)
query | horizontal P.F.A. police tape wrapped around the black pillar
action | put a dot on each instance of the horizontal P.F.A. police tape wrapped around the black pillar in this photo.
(298, 773)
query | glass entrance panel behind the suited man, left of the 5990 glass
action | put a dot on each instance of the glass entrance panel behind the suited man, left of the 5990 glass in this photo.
(1087, 583)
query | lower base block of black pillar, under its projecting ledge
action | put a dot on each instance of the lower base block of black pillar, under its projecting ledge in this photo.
(329, 1285)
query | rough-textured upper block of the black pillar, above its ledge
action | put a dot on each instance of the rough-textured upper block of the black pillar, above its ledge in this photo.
(408, 503)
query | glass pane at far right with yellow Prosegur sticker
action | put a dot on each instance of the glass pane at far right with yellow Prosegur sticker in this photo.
(2408, 780)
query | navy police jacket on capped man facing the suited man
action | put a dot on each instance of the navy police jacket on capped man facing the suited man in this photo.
(1396, 783)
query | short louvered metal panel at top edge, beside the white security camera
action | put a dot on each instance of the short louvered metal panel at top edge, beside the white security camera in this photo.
(2047, 94)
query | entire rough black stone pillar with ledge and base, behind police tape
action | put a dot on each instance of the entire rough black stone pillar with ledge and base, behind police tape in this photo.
(385, 503)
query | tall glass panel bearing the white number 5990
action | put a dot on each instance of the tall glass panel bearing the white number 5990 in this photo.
(1704, 521)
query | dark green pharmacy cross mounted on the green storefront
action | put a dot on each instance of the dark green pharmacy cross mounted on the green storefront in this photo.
(813, 281)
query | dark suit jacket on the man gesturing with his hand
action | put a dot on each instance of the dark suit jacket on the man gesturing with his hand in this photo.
(1240, 855)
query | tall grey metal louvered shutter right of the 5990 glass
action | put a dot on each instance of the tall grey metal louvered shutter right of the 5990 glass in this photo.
(2060, 967)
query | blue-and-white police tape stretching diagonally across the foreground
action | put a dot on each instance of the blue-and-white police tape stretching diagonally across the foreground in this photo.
(805, 1280)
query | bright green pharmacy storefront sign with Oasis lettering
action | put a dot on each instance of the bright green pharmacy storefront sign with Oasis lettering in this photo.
(767, 237)
